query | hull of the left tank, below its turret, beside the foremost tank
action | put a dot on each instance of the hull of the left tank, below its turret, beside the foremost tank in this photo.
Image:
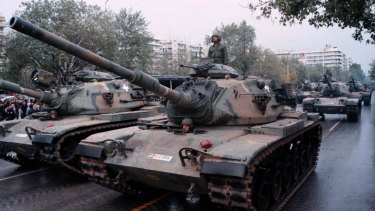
(42, 140)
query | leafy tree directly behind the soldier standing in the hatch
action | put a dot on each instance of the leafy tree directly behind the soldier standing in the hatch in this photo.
(239, 40)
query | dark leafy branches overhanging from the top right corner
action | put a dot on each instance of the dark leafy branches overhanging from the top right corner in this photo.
(358, 14)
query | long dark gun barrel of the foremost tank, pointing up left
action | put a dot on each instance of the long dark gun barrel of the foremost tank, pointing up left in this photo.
(136, 77)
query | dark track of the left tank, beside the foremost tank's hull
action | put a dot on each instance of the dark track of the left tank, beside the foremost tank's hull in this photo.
(52, 154)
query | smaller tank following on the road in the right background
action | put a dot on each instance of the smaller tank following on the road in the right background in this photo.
(334, 98)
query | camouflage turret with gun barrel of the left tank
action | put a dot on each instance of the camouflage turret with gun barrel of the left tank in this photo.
(88, 98)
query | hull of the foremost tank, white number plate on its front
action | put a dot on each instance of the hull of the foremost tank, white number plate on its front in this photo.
(157, 158)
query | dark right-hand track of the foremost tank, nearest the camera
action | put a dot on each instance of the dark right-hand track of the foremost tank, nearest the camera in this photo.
(273, 176)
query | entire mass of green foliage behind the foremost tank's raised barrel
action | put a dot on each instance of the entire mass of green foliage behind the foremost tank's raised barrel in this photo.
(86, 25)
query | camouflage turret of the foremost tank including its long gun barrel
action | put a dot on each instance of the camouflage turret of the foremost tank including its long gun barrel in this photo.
(219, 101)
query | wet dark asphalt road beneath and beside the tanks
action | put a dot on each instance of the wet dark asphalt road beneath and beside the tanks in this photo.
(344, 179)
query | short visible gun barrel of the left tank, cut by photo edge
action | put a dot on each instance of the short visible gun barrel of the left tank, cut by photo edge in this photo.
(45, 97)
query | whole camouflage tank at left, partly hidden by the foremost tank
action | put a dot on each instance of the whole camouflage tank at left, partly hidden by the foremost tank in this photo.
(70, 115)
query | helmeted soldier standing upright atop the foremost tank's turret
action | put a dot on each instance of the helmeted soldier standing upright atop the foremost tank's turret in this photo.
(218, 51)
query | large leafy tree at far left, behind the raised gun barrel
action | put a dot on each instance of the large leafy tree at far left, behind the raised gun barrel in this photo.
(67, 18)
